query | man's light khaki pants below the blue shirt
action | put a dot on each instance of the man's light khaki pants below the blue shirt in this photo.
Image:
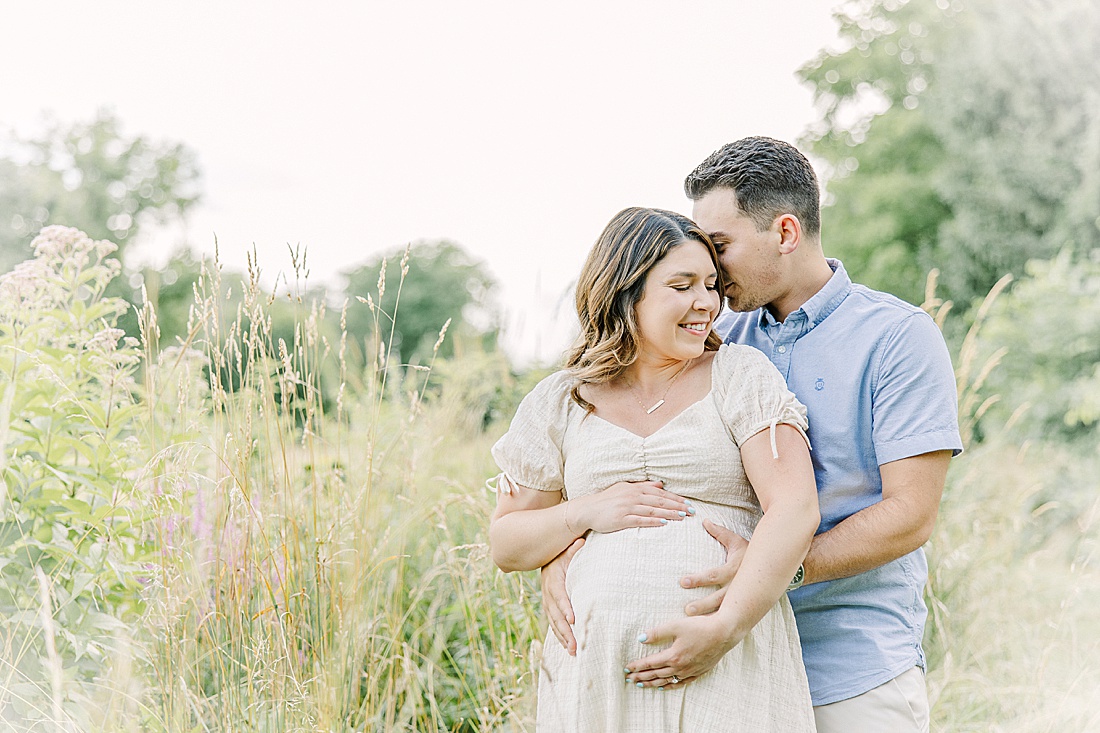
(900, 706)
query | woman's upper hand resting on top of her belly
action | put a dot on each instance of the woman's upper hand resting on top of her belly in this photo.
(625, 506)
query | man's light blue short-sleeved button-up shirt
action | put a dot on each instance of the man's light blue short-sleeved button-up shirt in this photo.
(877, 381)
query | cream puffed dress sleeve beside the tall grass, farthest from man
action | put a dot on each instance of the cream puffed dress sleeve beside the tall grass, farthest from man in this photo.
(530, 454)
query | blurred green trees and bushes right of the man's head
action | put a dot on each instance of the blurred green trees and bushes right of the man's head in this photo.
(965, 136)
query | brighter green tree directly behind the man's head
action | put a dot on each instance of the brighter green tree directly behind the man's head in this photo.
(883, 152)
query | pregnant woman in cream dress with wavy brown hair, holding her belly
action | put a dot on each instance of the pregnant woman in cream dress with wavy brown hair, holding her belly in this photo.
(647, 396)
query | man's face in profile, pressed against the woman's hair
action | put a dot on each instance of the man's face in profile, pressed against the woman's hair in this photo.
(750, 258)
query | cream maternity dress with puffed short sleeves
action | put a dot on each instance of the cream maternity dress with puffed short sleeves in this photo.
(624, 583)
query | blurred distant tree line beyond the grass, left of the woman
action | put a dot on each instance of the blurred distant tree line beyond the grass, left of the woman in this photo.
(92, 177)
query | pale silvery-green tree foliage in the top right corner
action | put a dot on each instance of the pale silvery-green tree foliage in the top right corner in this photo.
(1018, 110)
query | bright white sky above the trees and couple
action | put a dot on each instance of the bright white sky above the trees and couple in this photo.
(516, 129)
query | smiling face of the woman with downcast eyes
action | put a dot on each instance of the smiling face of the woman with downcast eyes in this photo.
(679, 304)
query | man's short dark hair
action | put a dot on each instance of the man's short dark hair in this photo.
(769, 178)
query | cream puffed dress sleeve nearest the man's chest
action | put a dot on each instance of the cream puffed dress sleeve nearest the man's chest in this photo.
(753, 397)
